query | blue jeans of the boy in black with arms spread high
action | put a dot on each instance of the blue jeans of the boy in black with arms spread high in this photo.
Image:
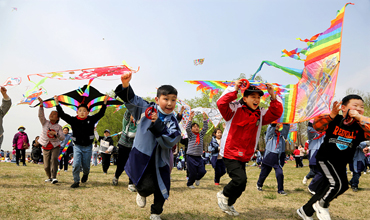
(81, 156)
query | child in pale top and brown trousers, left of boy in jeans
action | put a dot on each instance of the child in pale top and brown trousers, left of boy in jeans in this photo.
(50, 138)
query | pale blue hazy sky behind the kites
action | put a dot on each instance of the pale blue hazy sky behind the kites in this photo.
(163, 37)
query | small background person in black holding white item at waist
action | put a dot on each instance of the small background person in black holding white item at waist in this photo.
(106, 148)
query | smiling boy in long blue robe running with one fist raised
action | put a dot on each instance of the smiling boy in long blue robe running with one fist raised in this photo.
(148, 165)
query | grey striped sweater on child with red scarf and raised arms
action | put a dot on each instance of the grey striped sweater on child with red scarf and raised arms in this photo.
(196, 149)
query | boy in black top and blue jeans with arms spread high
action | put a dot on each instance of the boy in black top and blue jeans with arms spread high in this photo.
(82, 137)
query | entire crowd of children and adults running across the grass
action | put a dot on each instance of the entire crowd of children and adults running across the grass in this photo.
(148, 146)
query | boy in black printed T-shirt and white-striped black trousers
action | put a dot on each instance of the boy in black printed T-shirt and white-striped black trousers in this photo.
(343, 134)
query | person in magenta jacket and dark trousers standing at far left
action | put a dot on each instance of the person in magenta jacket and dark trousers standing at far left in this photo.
(20, 144)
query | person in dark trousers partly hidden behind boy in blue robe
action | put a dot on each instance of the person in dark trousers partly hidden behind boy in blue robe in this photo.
(124, 147)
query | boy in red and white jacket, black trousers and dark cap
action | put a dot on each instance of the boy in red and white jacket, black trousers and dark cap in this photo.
(244, 120)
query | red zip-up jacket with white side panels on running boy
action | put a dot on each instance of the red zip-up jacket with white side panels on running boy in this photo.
(243, 125)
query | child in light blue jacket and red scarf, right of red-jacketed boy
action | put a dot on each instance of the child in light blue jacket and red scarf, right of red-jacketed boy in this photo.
(274, 155)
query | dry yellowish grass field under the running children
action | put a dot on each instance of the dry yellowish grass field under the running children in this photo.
(24, 195)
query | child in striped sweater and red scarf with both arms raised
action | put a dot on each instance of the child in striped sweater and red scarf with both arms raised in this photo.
(195, 150)
